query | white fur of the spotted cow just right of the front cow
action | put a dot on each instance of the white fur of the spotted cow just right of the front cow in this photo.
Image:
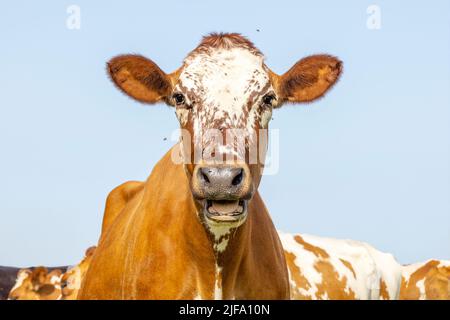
(369, 265)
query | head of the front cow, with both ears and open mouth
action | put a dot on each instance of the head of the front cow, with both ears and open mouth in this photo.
(223, 96)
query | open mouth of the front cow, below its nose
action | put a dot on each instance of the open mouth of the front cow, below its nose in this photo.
(225, 210)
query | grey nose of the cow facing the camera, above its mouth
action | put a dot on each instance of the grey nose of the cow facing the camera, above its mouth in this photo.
(222, 182)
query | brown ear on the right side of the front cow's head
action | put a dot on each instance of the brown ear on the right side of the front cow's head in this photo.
(308, 79)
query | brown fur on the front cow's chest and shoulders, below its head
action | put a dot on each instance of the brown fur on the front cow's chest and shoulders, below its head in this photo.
(161, 250)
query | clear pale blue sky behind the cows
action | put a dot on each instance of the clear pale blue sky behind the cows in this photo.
(369, 162)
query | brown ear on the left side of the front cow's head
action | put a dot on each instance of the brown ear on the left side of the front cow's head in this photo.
(140, 78)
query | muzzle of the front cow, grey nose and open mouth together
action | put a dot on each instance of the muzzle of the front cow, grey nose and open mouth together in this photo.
(223, 189)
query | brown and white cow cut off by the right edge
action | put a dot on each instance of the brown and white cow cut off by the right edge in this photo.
(429, 280)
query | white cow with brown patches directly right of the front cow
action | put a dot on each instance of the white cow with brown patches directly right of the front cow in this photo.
(325, 268)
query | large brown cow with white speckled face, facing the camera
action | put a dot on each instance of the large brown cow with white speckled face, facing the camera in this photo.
(198, 228)
